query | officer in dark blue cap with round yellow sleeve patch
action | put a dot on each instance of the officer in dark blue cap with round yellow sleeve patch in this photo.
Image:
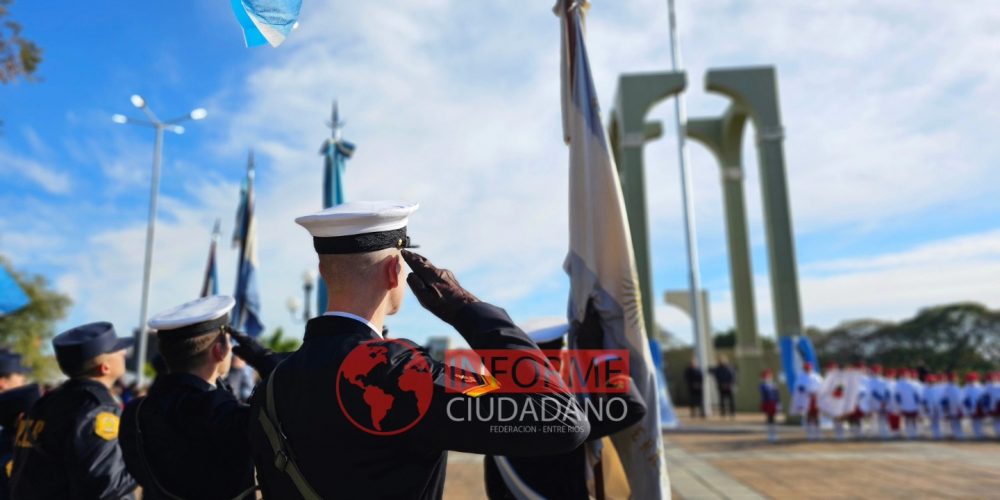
(67, 445)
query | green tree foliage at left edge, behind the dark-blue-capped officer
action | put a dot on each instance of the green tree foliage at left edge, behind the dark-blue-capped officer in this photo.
(29, 331)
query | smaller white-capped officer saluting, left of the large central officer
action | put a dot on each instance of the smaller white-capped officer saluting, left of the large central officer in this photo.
(188, 437)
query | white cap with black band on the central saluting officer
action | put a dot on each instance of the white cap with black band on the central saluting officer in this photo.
(359, 226)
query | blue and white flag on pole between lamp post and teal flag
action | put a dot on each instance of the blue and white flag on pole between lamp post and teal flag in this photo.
(246, 313)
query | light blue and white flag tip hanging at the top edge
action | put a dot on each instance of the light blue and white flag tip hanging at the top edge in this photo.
(266, 21)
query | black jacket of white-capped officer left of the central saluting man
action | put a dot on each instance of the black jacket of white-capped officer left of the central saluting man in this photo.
(193, 438)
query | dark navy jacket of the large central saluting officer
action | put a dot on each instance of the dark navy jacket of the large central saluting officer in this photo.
(340, 460)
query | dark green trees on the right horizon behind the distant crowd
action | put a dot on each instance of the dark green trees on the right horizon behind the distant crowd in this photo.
(963, 336)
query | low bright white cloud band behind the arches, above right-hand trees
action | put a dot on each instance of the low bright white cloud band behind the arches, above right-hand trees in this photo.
(888, 286)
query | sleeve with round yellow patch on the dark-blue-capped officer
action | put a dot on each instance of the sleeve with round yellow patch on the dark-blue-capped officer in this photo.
(95, 465)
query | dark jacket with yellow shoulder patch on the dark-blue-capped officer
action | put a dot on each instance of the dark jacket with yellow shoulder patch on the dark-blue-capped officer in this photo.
(66, 447)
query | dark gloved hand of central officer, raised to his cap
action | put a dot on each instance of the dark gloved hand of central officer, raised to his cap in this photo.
(436, 289)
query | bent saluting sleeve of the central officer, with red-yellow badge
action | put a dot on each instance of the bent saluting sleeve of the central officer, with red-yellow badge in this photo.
(497, 422)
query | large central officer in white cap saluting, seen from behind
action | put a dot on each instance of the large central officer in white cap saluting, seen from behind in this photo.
(333, 416)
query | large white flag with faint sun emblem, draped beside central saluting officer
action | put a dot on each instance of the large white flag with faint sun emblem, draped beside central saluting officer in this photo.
(600, 262)
